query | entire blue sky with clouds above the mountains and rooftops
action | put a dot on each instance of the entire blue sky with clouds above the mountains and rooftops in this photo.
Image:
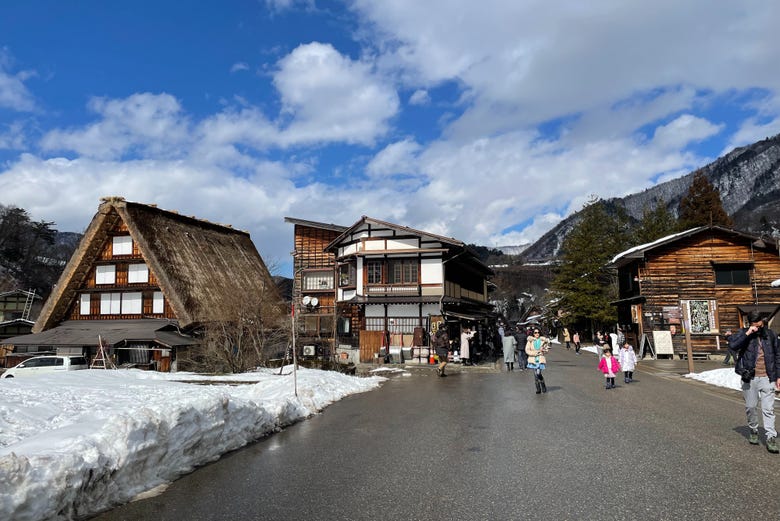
(488, 121)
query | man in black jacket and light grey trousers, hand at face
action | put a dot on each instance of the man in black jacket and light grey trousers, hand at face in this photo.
(758, 363)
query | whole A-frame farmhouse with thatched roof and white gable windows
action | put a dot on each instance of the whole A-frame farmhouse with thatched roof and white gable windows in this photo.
(145, 281)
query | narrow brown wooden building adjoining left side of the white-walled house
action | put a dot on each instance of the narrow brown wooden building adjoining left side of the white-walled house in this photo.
(314, 287)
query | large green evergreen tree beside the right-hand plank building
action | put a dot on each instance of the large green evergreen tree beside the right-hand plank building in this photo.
(584, 285)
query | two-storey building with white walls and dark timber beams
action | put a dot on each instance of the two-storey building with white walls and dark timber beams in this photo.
(394, 285)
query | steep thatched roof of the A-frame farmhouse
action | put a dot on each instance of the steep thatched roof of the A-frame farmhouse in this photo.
(206, 271)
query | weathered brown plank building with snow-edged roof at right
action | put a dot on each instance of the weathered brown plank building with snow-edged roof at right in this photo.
(711, 275)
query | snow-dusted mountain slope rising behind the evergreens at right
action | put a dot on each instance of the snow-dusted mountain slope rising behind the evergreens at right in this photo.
(748, 179)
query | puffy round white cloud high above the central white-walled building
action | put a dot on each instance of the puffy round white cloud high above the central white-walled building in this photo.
(329, 97)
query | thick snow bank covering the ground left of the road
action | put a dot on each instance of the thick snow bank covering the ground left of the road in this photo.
(76, 443)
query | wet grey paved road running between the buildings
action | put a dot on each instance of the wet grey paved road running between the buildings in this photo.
(479, 446)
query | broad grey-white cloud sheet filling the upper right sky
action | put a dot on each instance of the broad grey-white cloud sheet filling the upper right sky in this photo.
(536, 62)
